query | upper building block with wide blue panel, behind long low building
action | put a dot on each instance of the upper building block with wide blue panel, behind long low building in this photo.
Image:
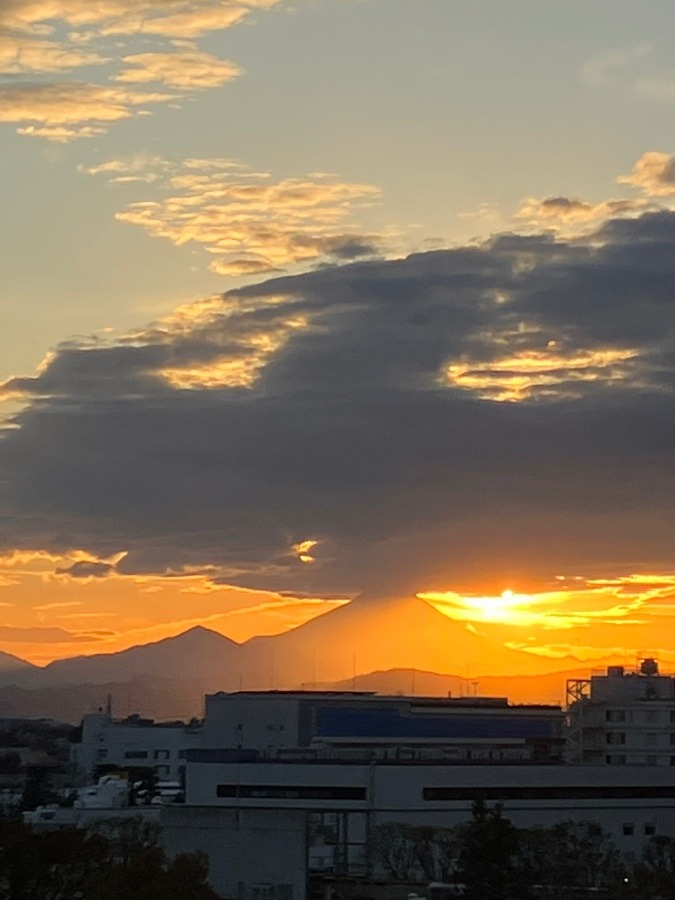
(360, 725)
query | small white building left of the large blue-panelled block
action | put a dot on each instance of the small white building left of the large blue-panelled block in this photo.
(135, 742)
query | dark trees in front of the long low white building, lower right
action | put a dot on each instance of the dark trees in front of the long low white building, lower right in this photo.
(490, 858)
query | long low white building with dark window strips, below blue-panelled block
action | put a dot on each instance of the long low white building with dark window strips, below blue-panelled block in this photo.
(263, 824)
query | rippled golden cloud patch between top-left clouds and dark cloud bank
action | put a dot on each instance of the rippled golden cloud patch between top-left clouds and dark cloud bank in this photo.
(250, 223)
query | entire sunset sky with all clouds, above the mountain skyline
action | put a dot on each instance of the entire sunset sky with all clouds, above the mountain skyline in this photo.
(305, 300)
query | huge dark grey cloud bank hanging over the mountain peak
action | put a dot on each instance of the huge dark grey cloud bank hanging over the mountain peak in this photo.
(353, 436)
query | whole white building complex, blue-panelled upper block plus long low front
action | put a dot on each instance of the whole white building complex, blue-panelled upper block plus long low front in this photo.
(278, 772)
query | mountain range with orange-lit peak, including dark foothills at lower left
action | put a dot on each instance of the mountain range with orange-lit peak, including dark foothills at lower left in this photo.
(363, 636)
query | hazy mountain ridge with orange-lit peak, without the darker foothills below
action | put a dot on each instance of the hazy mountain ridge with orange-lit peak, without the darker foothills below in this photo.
(365, 635)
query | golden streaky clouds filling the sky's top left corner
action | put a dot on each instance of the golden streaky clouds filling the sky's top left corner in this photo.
(106, 44)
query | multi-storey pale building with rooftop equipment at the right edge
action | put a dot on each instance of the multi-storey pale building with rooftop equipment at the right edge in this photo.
(622, 717)
